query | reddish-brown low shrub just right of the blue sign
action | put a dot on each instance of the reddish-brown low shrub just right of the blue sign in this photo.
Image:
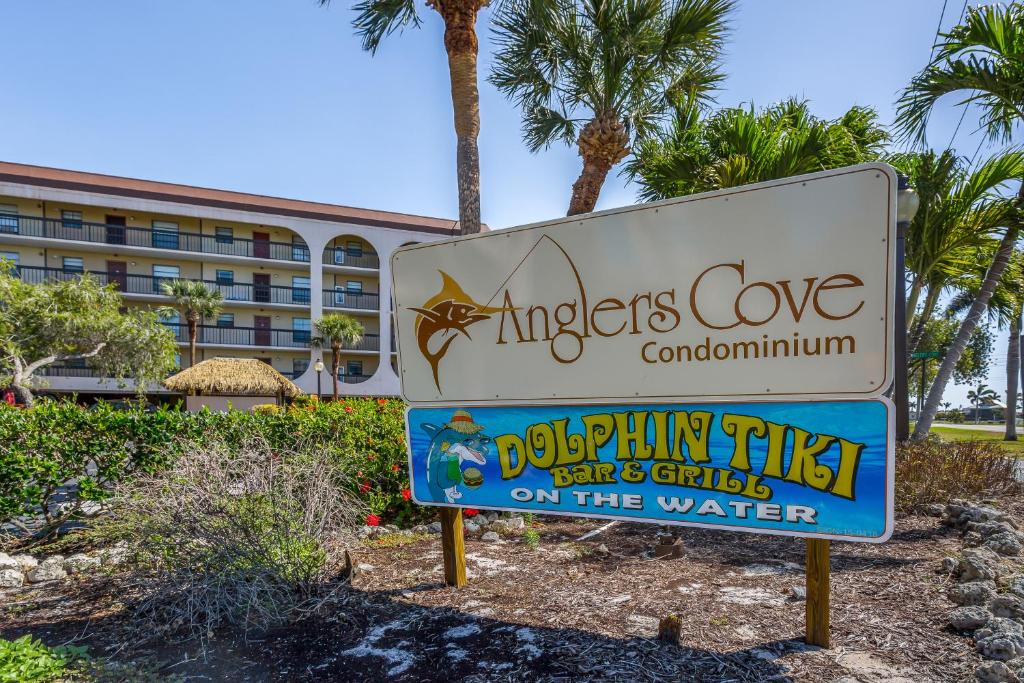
(935, 472)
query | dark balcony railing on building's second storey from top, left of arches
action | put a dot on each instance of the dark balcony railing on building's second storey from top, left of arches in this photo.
(150, 286)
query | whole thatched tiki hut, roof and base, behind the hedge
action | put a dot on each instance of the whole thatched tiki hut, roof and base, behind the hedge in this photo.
(240, 383)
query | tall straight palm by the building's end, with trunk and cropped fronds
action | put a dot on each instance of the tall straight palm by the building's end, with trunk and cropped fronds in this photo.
(377, 19)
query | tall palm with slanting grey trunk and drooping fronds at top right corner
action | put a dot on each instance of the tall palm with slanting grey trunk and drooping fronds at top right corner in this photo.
(983, 58)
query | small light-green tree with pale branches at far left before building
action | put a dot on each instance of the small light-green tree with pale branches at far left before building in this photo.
(76, 320)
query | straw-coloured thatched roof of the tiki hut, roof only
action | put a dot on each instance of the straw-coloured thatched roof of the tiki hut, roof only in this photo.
(246, 377)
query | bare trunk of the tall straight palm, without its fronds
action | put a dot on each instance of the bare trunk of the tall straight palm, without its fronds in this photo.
(462, 47)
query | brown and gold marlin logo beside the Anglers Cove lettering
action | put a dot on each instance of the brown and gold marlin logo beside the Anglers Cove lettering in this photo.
(451, 311)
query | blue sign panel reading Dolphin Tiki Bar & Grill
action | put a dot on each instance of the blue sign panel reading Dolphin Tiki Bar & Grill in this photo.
(812, 469)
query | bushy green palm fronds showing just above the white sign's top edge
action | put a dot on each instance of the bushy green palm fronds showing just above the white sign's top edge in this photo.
(739, 146)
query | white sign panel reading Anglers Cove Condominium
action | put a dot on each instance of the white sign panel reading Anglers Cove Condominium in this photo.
(779, 290)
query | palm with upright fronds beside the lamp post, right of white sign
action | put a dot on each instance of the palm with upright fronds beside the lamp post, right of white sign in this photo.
(961, 214)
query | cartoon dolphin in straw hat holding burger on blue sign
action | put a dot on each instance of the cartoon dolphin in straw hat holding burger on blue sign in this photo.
(452, 445)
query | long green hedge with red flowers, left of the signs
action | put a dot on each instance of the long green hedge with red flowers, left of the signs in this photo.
(45, 448)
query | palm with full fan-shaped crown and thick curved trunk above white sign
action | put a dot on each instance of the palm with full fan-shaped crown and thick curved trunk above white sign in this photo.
(603, 74)
